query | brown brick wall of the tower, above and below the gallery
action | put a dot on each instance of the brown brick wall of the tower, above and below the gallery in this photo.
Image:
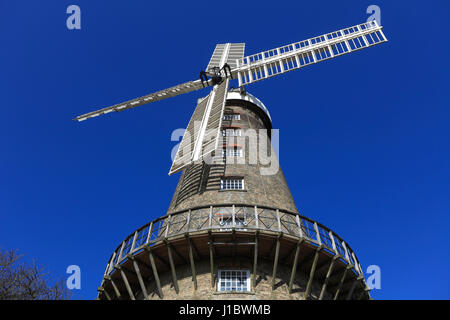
(199, 185)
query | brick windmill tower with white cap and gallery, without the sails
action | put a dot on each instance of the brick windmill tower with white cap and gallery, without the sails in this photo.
(246, 243)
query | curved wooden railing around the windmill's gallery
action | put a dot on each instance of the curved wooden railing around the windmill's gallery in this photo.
(240, 218)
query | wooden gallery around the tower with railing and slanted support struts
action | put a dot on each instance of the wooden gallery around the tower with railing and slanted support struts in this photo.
(210, 234)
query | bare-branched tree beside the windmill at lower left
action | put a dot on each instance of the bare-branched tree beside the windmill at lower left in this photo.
(21, 281)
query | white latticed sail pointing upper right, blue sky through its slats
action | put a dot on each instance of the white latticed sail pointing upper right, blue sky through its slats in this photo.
(296, 55)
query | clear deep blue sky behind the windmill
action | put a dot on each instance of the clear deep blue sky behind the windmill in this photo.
(364, 138)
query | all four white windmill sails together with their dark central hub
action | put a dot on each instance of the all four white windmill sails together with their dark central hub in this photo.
(201, 137)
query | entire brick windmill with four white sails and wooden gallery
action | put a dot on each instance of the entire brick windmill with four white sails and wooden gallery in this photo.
(232, 230)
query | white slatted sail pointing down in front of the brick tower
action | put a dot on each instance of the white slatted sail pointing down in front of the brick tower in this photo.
(202, 133)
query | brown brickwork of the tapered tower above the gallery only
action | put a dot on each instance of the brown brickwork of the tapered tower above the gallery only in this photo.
(199, 184)
